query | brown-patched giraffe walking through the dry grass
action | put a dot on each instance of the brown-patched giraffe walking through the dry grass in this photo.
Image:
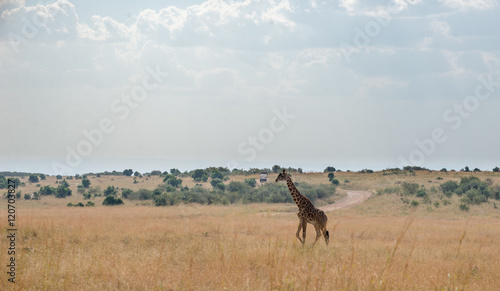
(307, 213)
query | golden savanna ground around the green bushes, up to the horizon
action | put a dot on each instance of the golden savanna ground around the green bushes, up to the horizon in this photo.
(388, 242)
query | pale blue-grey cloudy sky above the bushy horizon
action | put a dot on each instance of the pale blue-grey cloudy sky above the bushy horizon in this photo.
(89, 86)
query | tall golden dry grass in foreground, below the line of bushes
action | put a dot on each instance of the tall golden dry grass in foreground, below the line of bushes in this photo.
(247, 247)
